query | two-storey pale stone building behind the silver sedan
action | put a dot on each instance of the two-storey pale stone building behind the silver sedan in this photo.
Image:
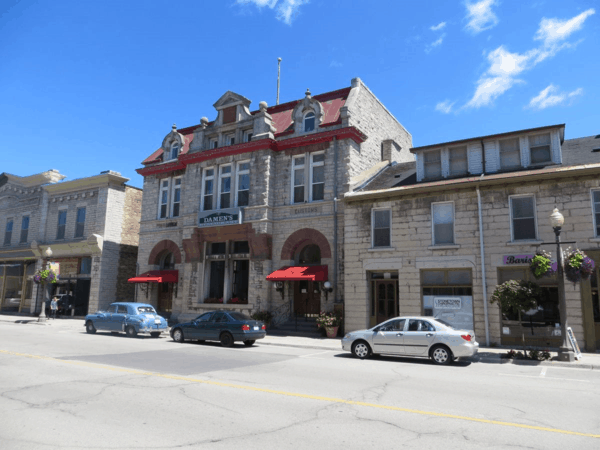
(436, 236)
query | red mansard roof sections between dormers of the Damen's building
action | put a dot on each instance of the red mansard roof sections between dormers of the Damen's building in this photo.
(282, 119)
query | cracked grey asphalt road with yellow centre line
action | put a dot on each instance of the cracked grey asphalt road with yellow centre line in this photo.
(62, 388)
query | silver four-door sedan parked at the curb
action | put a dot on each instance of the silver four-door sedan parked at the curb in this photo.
(412, 336)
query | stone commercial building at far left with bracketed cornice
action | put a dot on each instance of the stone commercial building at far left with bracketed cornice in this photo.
(91, 226)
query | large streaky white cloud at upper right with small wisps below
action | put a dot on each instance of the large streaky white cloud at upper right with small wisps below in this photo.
(505, 67)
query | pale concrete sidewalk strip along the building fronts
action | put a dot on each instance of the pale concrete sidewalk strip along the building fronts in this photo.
(590, 361)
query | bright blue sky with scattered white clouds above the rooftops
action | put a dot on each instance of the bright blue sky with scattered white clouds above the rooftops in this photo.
(92, 86)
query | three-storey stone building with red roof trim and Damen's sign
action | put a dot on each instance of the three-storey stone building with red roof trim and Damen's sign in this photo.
(242, 212)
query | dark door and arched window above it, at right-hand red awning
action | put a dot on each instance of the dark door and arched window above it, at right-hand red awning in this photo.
(307, 295)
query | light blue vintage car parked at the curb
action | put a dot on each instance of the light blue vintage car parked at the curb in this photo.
(130, 318)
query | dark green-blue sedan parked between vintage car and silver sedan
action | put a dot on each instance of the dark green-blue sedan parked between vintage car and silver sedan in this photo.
(224, 326)
